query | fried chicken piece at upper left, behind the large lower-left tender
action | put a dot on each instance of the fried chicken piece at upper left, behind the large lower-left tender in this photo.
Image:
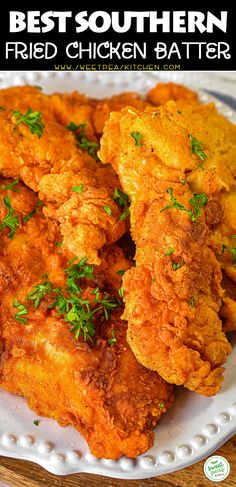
(54, 164)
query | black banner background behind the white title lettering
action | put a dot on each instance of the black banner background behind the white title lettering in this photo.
(62, 39)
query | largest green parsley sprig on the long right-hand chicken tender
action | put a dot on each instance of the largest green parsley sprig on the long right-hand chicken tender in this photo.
(197, 202)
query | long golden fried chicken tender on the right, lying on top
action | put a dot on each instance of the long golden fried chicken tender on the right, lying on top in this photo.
(177, 164)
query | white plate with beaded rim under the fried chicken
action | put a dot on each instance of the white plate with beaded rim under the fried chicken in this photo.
(195, 426)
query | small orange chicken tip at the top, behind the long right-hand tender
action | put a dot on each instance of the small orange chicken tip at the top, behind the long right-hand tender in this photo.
(163, 92)
